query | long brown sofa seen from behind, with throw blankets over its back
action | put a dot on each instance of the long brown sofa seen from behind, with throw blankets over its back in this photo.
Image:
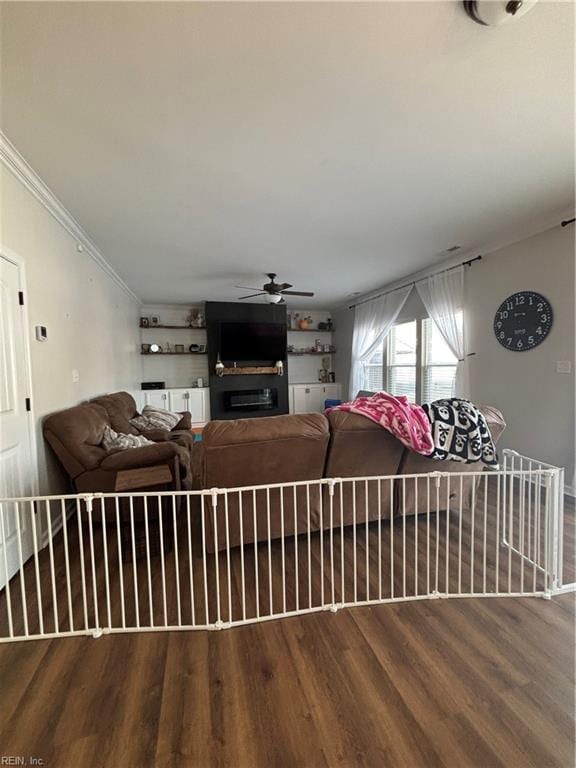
(289, 449)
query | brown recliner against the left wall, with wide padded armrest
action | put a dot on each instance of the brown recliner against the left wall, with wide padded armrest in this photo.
(76, 435)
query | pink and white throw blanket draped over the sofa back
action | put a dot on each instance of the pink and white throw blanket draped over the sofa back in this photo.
(406, 421)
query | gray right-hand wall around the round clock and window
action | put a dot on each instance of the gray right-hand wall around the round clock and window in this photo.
(538, 403)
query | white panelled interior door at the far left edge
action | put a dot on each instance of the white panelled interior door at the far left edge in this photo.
(16, 463)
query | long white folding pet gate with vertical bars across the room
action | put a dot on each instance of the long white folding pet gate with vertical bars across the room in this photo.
(149, 561)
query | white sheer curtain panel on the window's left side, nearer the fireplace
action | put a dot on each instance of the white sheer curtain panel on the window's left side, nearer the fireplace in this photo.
(372, 321)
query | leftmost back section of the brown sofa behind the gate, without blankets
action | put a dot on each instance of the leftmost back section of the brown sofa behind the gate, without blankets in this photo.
(244, 452)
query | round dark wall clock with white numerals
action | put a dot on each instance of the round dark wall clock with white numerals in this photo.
(523, 321)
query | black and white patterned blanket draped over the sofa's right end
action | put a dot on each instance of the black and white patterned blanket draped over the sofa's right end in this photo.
(460, 432)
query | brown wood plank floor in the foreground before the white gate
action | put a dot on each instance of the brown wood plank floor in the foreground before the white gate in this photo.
(460, 683)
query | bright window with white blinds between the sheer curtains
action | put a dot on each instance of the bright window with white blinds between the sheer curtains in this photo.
(414, 361)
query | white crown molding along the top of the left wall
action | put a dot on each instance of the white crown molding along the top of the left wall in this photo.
(14, 161)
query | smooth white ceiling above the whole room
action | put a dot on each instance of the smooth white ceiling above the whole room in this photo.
(341, 145)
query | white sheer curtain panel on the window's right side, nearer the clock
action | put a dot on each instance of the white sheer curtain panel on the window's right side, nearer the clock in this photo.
(443, 297)
